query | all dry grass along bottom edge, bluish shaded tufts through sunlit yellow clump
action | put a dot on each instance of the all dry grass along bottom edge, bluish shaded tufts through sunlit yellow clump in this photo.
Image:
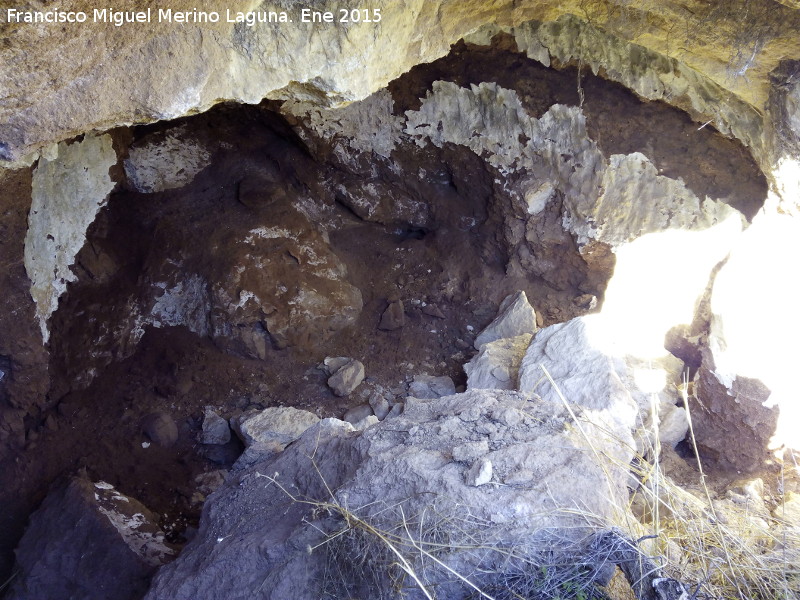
(720, 552)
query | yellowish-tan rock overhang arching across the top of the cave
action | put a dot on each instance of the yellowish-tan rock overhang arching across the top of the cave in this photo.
(714, 58)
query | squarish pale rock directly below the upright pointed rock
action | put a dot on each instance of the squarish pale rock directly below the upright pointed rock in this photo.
(497, 364)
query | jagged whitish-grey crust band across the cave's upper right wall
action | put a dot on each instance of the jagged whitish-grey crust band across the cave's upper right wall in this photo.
(601, 196)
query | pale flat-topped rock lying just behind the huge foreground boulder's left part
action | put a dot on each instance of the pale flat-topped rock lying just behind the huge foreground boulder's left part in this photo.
(281, 425)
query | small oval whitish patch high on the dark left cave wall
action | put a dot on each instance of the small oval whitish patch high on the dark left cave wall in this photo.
(165, 162)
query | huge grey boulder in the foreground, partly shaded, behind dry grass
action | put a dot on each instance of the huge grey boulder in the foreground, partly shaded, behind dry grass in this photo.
(491, 466)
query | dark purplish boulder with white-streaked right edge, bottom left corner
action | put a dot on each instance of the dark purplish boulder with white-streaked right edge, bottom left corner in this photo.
(87, 541)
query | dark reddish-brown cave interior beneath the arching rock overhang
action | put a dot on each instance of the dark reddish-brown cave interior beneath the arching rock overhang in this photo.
(244, 245)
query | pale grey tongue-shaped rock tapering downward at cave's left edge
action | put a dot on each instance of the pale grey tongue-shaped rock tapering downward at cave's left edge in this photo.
(67, 191)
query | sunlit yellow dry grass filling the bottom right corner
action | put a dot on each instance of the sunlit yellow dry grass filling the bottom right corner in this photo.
(726, 550)
